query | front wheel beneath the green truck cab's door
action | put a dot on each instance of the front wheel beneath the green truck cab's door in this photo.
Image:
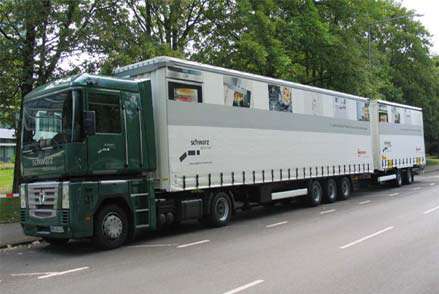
(110, 227)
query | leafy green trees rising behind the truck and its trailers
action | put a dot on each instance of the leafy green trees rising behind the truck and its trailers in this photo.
(320, 43)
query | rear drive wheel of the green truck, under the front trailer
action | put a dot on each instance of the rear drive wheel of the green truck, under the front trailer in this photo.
(220, 210)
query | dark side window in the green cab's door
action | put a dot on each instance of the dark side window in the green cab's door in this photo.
(107, 109)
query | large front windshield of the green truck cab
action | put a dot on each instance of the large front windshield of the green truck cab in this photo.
(49, 122)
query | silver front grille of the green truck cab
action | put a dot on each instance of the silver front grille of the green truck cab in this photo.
(43, 199)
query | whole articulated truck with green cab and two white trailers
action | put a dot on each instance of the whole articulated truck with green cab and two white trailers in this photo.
(167, 140)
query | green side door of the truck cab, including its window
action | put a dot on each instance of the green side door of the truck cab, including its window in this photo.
(106, 147)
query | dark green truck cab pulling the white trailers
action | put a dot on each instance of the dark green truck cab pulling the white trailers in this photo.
(87, 156)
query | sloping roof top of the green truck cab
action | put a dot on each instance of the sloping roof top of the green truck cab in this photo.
(84, 80)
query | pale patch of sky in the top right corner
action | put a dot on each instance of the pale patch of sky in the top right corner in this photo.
(430, 11)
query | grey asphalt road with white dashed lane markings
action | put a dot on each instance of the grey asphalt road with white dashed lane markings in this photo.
(384, 240)
